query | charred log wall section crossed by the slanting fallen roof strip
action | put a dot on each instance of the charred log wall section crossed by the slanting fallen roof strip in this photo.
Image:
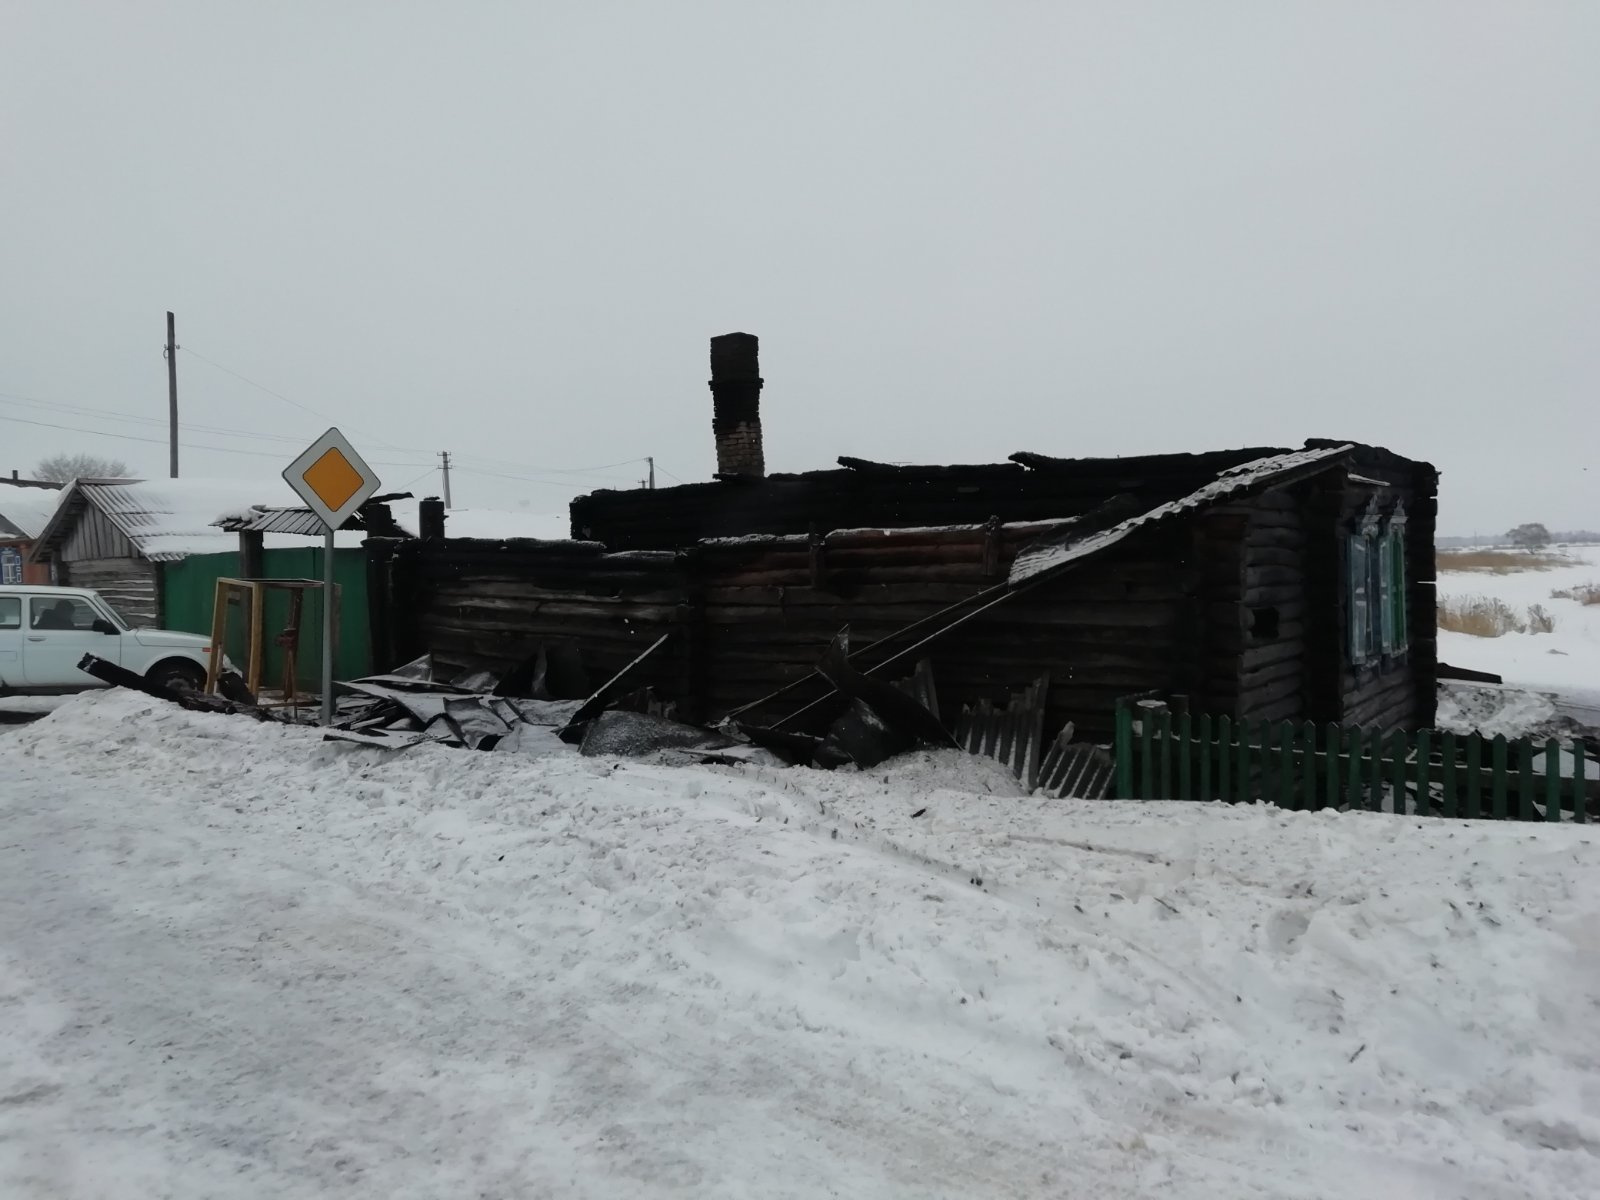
(1113, 628)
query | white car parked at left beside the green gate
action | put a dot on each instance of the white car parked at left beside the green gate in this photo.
(47, 631)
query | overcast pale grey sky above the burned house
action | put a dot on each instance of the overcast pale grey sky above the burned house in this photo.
(961, 230)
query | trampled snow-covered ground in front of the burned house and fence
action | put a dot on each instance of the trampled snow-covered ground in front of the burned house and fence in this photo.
(242, 962)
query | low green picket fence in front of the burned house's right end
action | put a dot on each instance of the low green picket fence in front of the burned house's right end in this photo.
(1164, 756)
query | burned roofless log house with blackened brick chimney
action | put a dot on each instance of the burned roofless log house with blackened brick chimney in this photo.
(1263, 583)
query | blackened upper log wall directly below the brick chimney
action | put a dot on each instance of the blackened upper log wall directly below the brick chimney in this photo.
(882, 497)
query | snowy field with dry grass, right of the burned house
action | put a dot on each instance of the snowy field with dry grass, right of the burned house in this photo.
(1567, 662)
